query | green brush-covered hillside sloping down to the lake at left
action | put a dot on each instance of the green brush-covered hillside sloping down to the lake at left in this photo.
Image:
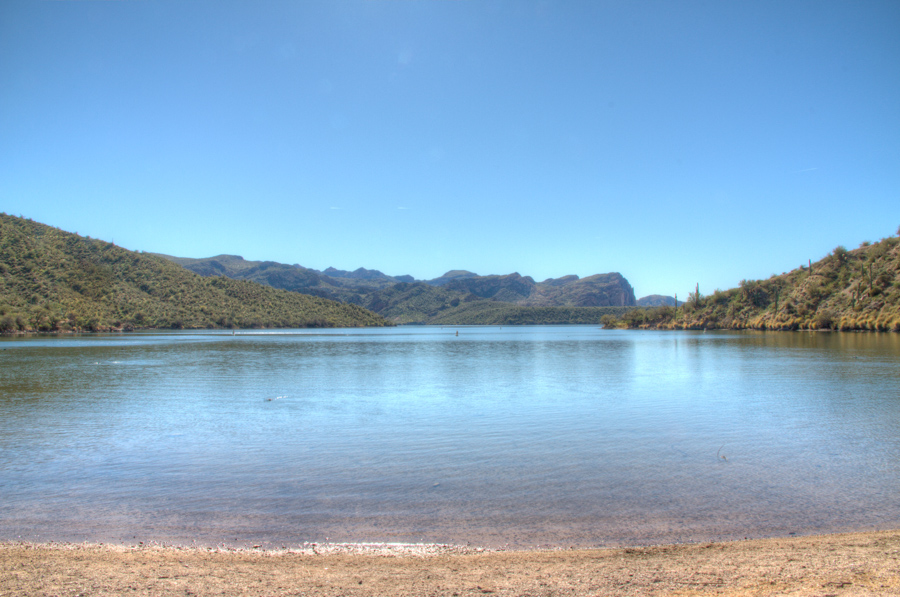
(51, 280)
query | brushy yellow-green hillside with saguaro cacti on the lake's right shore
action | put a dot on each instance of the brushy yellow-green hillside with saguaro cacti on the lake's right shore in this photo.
(848, 290)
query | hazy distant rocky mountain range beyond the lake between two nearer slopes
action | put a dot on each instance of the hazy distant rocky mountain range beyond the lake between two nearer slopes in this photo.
(454, 298)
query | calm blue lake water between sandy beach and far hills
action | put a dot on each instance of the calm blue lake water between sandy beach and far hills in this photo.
(527, 436)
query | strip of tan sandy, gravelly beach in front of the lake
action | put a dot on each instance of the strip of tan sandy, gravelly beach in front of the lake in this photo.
(828, 565)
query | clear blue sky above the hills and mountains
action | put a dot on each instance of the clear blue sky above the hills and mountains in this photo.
(674, 142)
